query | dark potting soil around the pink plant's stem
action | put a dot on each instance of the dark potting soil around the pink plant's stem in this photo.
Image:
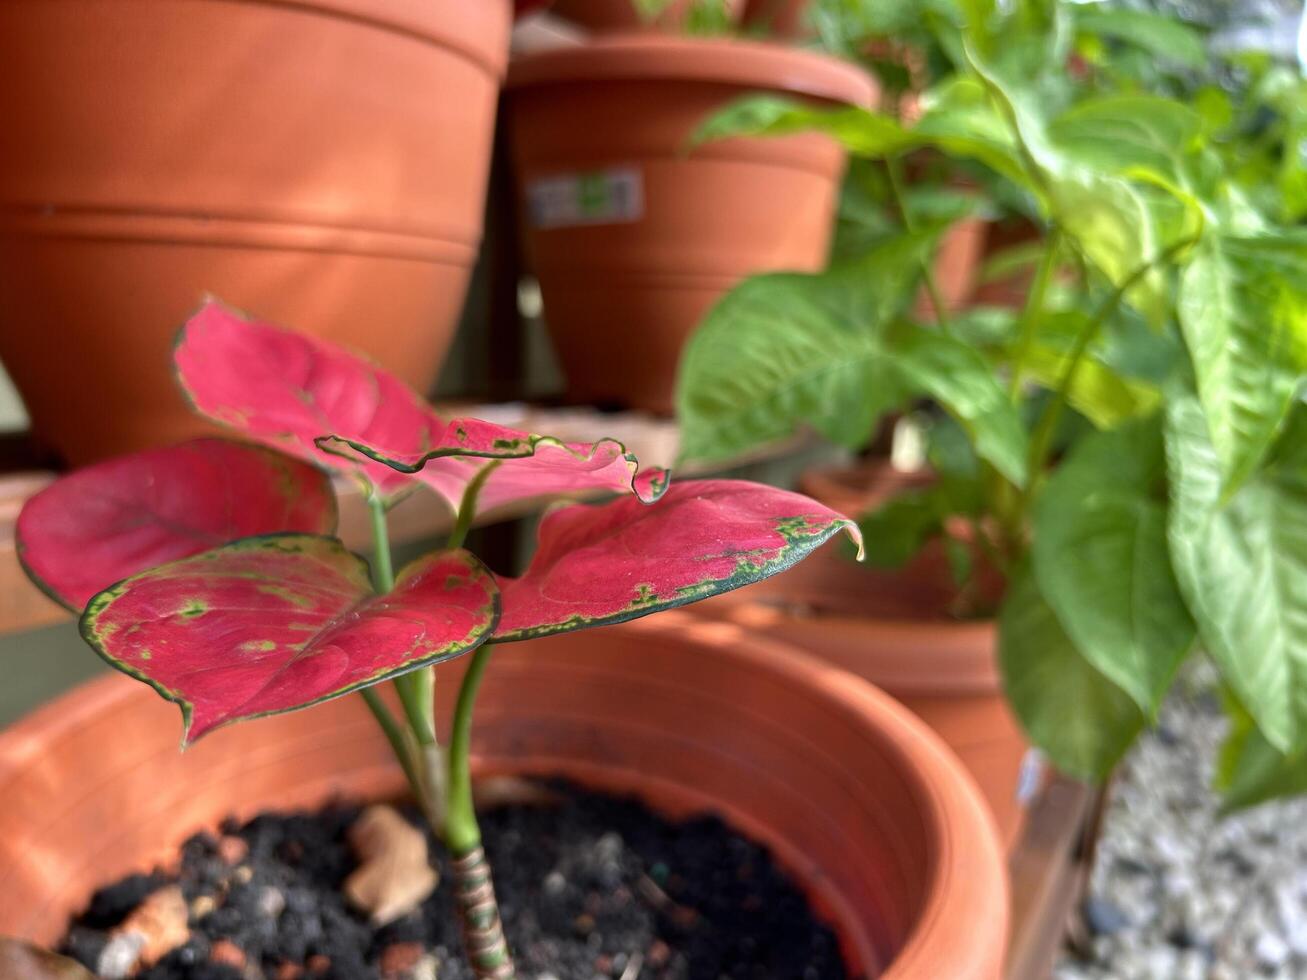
(591, 888)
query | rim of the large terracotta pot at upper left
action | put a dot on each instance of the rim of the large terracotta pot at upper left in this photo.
(420, 22)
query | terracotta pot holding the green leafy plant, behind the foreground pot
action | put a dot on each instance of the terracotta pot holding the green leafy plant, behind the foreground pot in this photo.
(893, 628)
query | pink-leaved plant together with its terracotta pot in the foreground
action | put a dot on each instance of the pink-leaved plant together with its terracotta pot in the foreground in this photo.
(284, 617)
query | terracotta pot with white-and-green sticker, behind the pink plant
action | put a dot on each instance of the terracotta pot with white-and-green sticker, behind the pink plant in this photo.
(635, 236)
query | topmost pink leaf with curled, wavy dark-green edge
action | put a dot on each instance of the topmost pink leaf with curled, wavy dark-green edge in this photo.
(330, 406)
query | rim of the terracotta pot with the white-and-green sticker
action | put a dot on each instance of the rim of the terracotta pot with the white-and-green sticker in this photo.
(722, 61)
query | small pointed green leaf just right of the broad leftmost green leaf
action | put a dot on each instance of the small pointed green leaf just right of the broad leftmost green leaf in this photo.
(964, 384)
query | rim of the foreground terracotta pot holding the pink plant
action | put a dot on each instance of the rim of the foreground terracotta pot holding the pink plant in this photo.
(950, 807)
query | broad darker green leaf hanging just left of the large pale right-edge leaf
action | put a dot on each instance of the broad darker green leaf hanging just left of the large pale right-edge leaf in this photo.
(1101, 560)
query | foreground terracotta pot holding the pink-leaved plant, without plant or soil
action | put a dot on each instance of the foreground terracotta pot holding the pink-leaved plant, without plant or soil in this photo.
(862, 803)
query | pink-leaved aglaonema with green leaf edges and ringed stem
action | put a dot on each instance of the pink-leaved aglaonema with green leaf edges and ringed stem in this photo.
(210, 570)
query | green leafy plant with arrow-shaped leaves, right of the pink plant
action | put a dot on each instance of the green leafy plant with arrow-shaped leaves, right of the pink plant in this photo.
(1129, 449)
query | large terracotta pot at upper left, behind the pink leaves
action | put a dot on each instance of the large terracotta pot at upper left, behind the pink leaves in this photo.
(321, 164)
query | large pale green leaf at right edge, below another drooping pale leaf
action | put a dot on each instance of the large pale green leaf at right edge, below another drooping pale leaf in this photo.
(1242, 566)
